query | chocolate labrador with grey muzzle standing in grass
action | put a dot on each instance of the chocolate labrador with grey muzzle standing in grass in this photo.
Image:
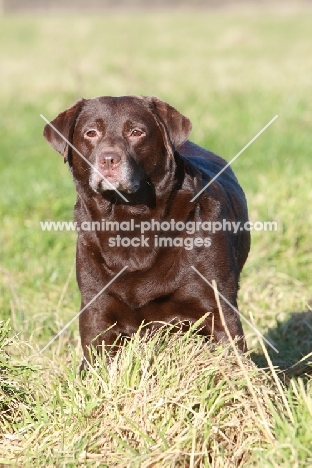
(136, 176)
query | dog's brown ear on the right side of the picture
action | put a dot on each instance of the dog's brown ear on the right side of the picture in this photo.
(174, 126)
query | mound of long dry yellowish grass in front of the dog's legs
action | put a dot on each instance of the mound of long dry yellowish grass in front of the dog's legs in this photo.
(172, 400)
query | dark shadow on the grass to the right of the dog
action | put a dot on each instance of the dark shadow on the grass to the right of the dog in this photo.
(293, 339)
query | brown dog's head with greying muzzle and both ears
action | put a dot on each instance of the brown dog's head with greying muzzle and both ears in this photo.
(118, 142)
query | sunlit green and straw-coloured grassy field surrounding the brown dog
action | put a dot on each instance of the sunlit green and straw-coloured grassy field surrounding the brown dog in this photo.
(169, 402)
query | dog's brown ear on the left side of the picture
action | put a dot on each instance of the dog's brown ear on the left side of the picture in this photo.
(60, 130)
